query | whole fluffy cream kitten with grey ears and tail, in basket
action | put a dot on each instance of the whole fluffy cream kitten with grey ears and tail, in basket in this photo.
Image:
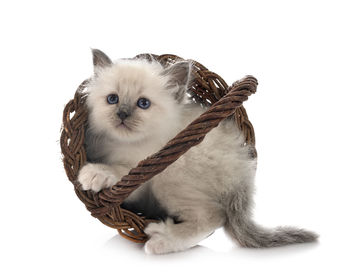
(135, 107)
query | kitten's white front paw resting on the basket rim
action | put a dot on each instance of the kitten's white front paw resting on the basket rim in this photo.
(96, 177)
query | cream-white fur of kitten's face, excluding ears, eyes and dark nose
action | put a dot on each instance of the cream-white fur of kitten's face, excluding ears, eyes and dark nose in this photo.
(132, 79)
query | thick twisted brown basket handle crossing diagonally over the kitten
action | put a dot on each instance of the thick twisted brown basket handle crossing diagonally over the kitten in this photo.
(192, 135)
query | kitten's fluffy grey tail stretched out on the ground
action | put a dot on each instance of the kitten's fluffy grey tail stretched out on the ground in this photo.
(249, 234)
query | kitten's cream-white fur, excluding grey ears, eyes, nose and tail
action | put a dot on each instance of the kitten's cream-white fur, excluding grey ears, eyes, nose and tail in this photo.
(196, 185)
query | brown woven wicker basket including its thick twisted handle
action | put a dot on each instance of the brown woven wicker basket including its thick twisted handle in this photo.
(207, 88)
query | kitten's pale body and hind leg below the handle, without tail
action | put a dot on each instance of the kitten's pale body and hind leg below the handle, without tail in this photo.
(196, 186)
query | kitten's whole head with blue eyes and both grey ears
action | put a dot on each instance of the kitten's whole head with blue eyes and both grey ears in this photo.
(135, 99)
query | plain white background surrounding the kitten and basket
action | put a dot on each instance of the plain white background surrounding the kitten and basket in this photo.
(298, 50)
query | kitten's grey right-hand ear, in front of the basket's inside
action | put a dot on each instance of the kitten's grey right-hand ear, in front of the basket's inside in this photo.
(179, 78)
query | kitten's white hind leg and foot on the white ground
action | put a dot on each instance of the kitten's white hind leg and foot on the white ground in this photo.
(166, 237)
